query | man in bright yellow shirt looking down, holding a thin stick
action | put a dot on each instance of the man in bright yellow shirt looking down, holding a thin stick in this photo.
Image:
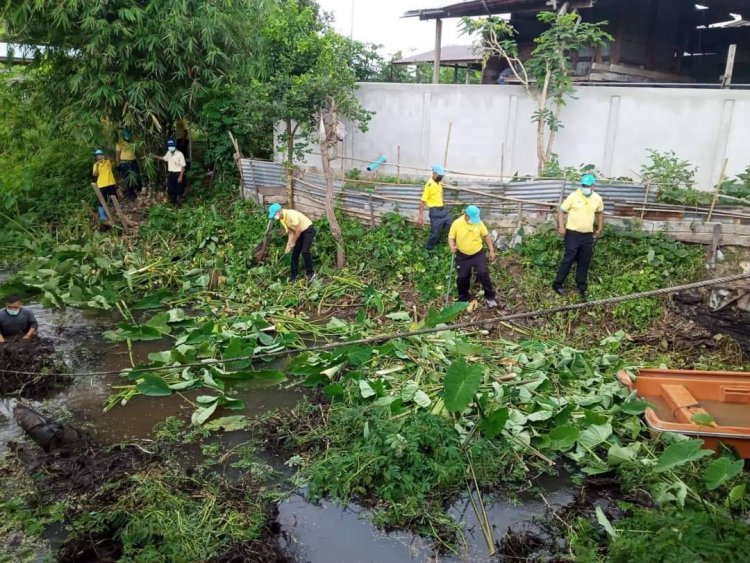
(465, 241)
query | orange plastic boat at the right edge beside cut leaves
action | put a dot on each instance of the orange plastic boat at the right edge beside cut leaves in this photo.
(676, 396)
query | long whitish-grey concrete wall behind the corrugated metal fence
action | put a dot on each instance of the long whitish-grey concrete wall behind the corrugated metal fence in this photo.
(611, 127)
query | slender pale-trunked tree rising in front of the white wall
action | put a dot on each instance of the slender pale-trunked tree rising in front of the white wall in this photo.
(546, 73)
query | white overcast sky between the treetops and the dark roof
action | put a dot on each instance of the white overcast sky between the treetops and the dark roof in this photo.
(380, 22)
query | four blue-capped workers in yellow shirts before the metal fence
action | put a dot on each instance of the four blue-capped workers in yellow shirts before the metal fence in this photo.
(580, 220)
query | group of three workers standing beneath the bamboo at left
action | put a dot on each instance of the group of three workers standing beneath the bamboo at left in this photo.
(125, 164)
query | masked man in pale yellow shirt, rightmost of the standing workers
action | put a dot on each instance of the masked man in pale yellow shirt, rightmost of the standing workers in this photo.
(584, 208)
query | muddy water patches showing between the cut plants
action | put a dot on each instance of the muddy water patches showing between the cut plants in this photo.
(325, 533)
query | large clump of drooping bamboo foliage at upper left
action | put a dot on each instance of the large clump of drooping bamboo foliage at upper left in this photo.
(131, 63)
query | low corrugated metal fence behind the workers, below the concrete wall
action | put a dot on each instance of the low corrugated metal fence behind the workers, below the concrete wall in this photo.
(505, 205)
